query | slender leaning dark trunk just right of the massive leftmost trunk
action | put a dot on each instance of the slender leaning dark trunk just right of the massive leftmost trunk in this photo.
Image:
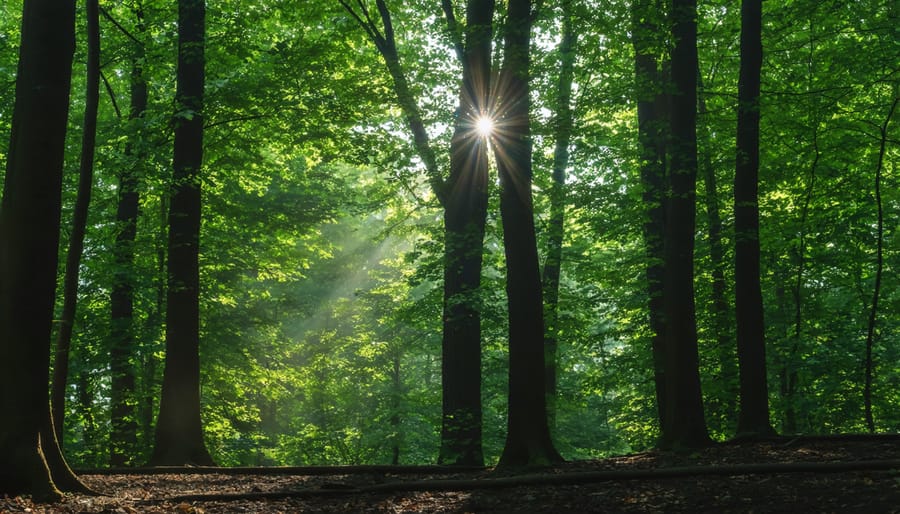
(79, 221)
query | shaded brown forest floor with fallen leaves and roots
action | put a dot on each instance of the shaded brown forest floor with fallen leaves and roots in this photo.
(831, 474)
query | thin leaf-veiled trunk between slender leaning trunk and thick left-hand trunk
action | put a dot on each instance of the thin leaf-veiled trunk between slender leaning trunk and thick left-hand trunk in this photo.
(123, 403)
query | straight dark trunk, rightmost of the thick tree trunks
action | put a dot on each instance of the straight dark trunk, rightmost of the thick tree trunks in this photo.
(753, 415)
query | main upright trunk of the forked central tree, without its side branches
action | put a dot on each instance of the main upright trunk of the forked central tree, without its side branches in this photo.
(465, 210)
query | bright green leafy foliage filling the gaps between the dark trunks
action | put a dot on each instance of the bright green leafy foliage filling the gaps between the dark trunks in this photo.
(329, 197)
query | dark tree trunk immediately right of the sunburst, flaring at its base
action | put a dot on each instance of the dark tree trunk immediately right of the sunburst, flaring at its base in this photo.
(528, 437)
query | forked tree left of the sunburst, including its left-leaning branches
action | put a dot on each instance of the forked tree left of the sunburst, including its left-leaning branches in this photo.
(464, 199)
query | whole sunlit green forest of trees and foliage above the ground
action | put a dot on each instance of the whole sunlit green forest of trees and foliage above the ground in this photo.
(471, 233)
